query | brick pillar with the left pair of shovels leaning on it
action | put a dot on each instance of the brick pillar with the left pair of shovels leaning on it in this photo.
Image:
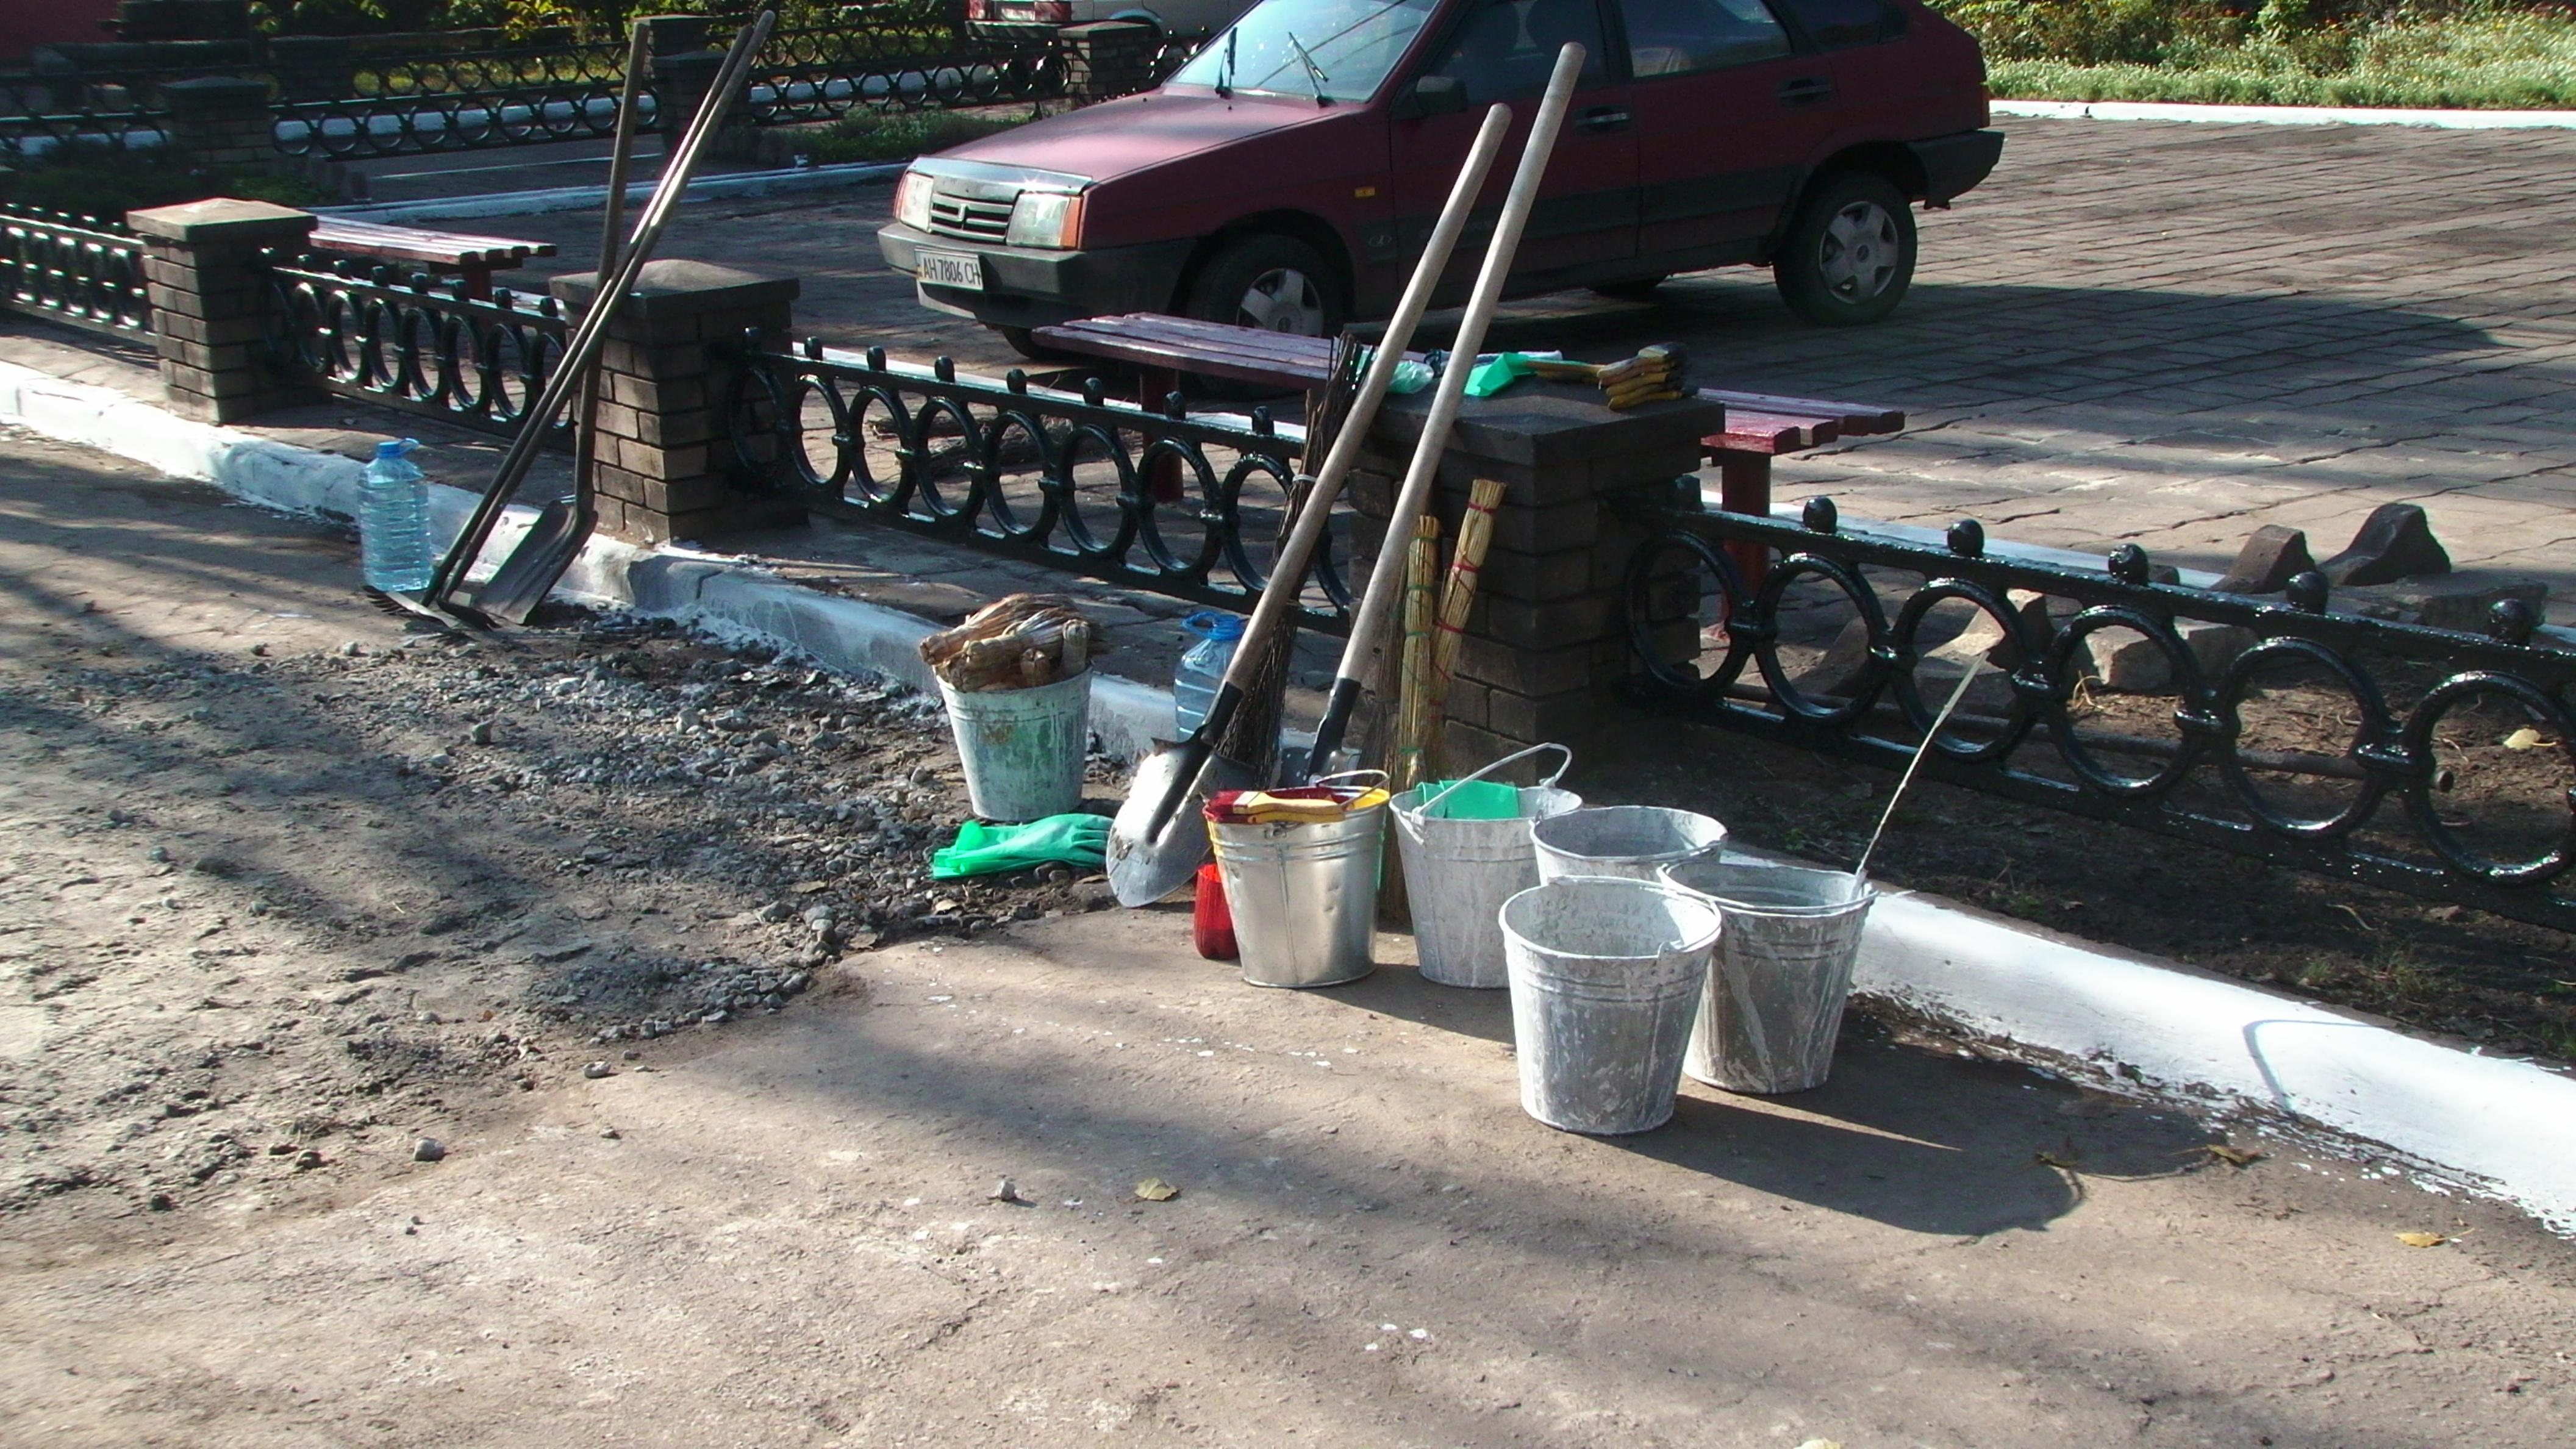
(666, 471)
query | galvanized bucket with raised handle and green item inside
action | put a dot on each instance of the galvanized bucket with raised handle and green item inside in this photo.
(1459, 873)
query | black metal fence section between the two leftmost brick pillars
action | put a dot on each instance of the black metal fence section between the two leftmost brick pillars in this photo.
(413, 344)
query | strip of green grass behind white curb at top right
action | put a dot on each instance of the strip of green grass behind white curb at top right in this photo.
(2479, 55)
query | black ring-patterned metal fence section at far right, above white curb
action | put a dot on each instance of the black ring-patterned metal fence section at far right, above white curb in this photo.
(2433, 762)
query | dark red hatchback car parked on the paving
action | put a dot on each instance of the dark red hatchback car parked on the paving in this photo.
(1289, 171)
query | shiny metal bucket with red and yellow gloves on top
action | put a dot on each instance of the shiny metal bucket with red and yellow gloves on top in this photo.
(1305, 899)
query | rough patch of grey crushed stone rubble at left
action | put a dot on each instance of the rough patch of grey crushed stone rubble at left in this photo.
(272, 911)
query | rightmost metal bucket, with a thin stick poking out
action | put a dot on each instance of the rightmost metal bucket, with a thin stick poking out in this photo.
(1781, 973)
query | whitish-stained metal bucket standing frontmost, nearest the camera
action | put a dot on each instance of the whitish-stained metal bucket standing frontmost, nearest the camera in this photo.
(1606, 978)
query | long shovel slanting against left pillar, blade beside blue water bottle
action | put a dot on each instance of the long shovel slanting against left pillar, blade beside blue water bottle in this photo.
(583, 349)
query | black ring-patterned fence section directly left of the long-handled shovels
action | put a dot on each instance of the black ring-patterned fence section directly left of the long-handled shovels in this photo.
(1060, 476)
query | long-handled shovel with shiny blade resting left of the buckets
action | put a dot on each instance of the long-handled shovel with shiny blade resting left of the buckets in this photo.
(1158, 839)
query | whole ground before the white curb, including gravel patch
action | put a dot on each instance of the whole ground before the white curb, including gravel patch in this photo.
(290, 891)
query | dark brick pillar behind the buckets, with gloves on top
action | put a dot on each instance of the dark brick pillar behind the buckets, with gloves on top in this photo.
(1547, 641)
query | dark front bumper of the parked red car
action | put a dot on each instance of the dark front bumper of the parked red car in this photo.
(1029, 287)
